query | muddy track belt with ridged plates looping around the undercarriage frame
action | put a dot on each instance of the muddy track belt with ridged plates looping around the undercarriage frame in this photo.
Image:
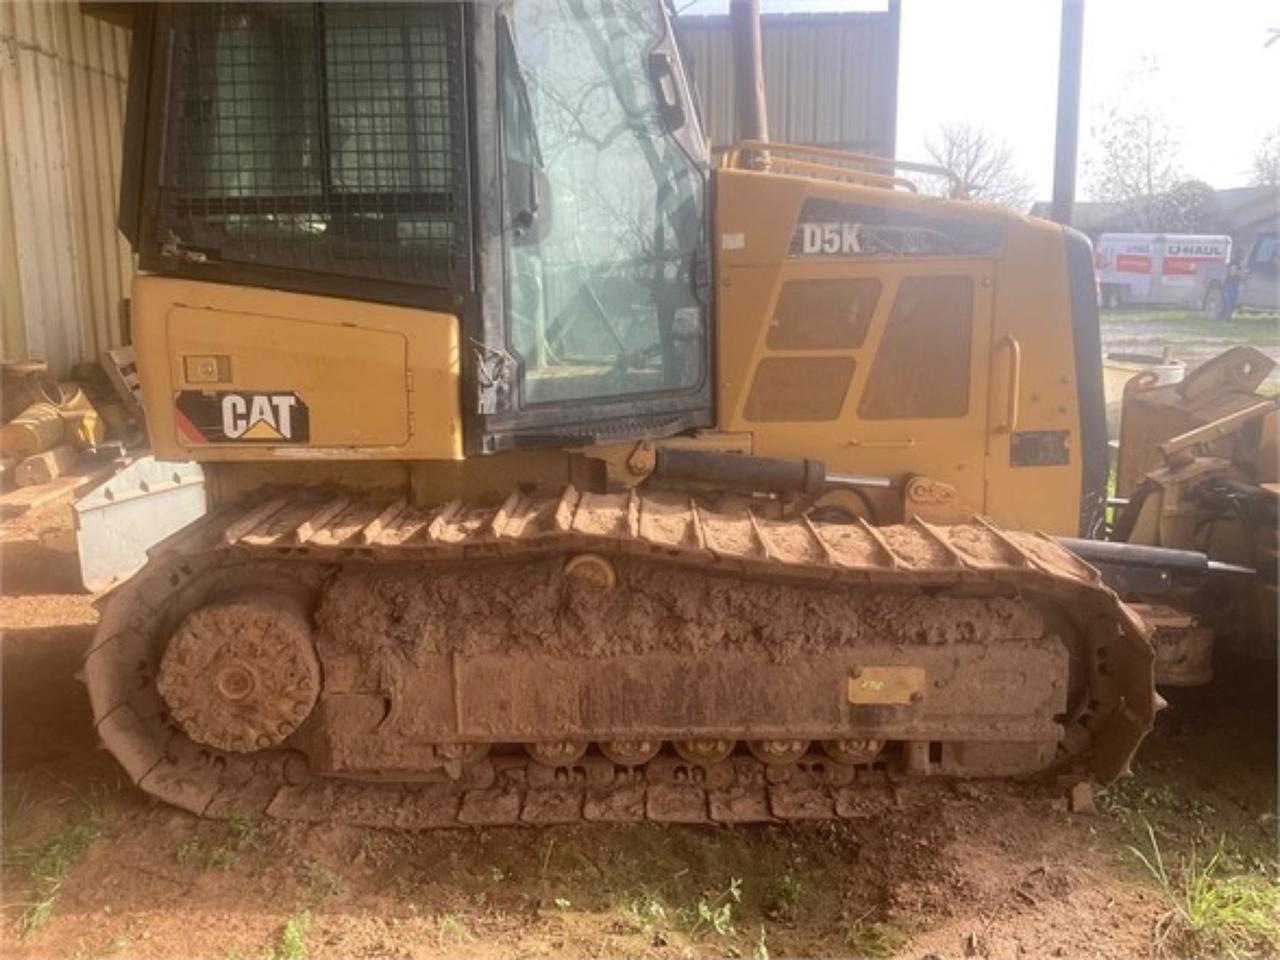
(308, 547)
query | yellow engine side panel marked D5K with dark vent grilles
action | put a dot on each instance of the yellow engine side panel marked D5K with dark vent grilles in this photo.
(888, 333)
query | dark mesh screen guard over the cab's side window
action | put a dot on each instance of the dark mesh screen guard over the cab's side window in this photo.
(321, 138)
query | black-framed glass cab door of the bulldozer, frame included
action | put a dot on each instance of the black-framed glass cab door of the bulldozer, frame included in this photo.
(596, 322)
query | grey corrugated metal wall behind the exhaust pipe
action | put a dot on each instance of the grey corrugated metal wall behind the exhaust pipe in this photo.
(831, 80)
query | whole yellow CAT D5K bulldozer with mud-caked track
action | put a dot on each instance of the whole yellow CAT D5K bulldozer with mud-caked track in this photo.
(559, 474)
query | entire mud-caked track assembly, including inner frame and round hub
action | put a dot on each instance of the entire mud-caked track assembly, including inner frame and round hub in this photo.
(604, 657)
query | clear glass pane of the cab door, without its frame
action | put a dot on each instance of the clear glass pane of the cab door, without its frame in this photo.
(602, 207)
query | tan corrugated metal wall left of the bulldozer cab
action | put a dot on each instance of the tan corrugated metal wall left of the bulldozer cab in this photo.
(63, 266)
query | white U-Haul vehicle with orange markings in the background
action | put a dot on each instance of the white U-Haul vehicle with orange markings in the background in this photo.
(1154, 268)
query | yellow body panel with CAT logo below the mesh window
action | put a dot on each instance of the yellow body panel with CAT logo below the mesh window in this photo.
(245, 374)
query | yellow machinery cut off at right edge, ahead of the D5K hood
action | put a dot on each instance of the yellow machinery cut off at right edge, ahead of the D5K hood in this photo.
(1197, 472)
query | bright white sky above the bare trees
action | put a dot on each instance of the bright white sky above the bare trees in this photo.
(994, 65)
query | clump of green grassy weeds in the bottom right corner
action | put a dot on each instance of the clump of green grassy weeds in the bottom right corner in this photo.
(1212, 912)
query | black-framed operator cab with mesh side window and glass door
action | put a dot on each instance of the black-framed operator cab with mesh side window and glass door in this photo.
(534, 168)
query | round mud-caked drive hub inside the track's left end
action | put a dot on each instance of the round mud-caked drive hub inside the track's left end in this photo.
(241, 675)
